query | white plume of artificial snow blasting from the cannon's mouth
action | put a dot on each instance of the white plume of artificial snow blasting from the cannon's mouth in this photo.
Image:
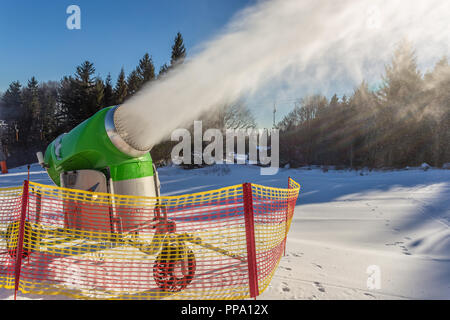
(318, 41)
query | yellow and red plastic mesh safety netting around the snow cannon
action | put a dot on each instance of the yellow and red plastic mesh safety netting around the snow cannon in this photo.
(219, 244)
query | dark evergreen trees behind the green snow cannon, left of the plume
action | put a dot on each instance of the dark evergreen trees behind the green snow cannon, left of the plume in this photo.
(36, 113)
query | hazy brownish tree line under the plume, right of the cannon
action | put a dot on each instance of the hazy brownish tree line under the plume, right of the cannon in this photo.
(403, 122)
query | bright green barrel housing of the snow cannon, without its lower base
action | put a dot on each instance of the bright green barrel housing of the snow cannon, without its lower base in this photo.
(95, 144)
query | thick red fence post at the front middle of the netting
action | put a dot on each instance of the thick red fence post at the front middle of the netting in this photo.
(250, 237)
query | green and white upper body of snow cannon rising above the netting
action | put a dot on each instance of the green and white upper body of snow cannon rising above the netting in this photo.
(95, 157)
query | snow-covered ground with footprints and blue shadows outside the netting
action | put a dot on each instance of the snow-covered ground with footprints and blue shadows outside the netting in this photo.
(355, 235)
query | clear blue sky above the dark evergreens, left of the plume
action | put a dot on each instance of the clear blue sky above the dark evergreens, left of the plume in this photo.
(36, 42)
